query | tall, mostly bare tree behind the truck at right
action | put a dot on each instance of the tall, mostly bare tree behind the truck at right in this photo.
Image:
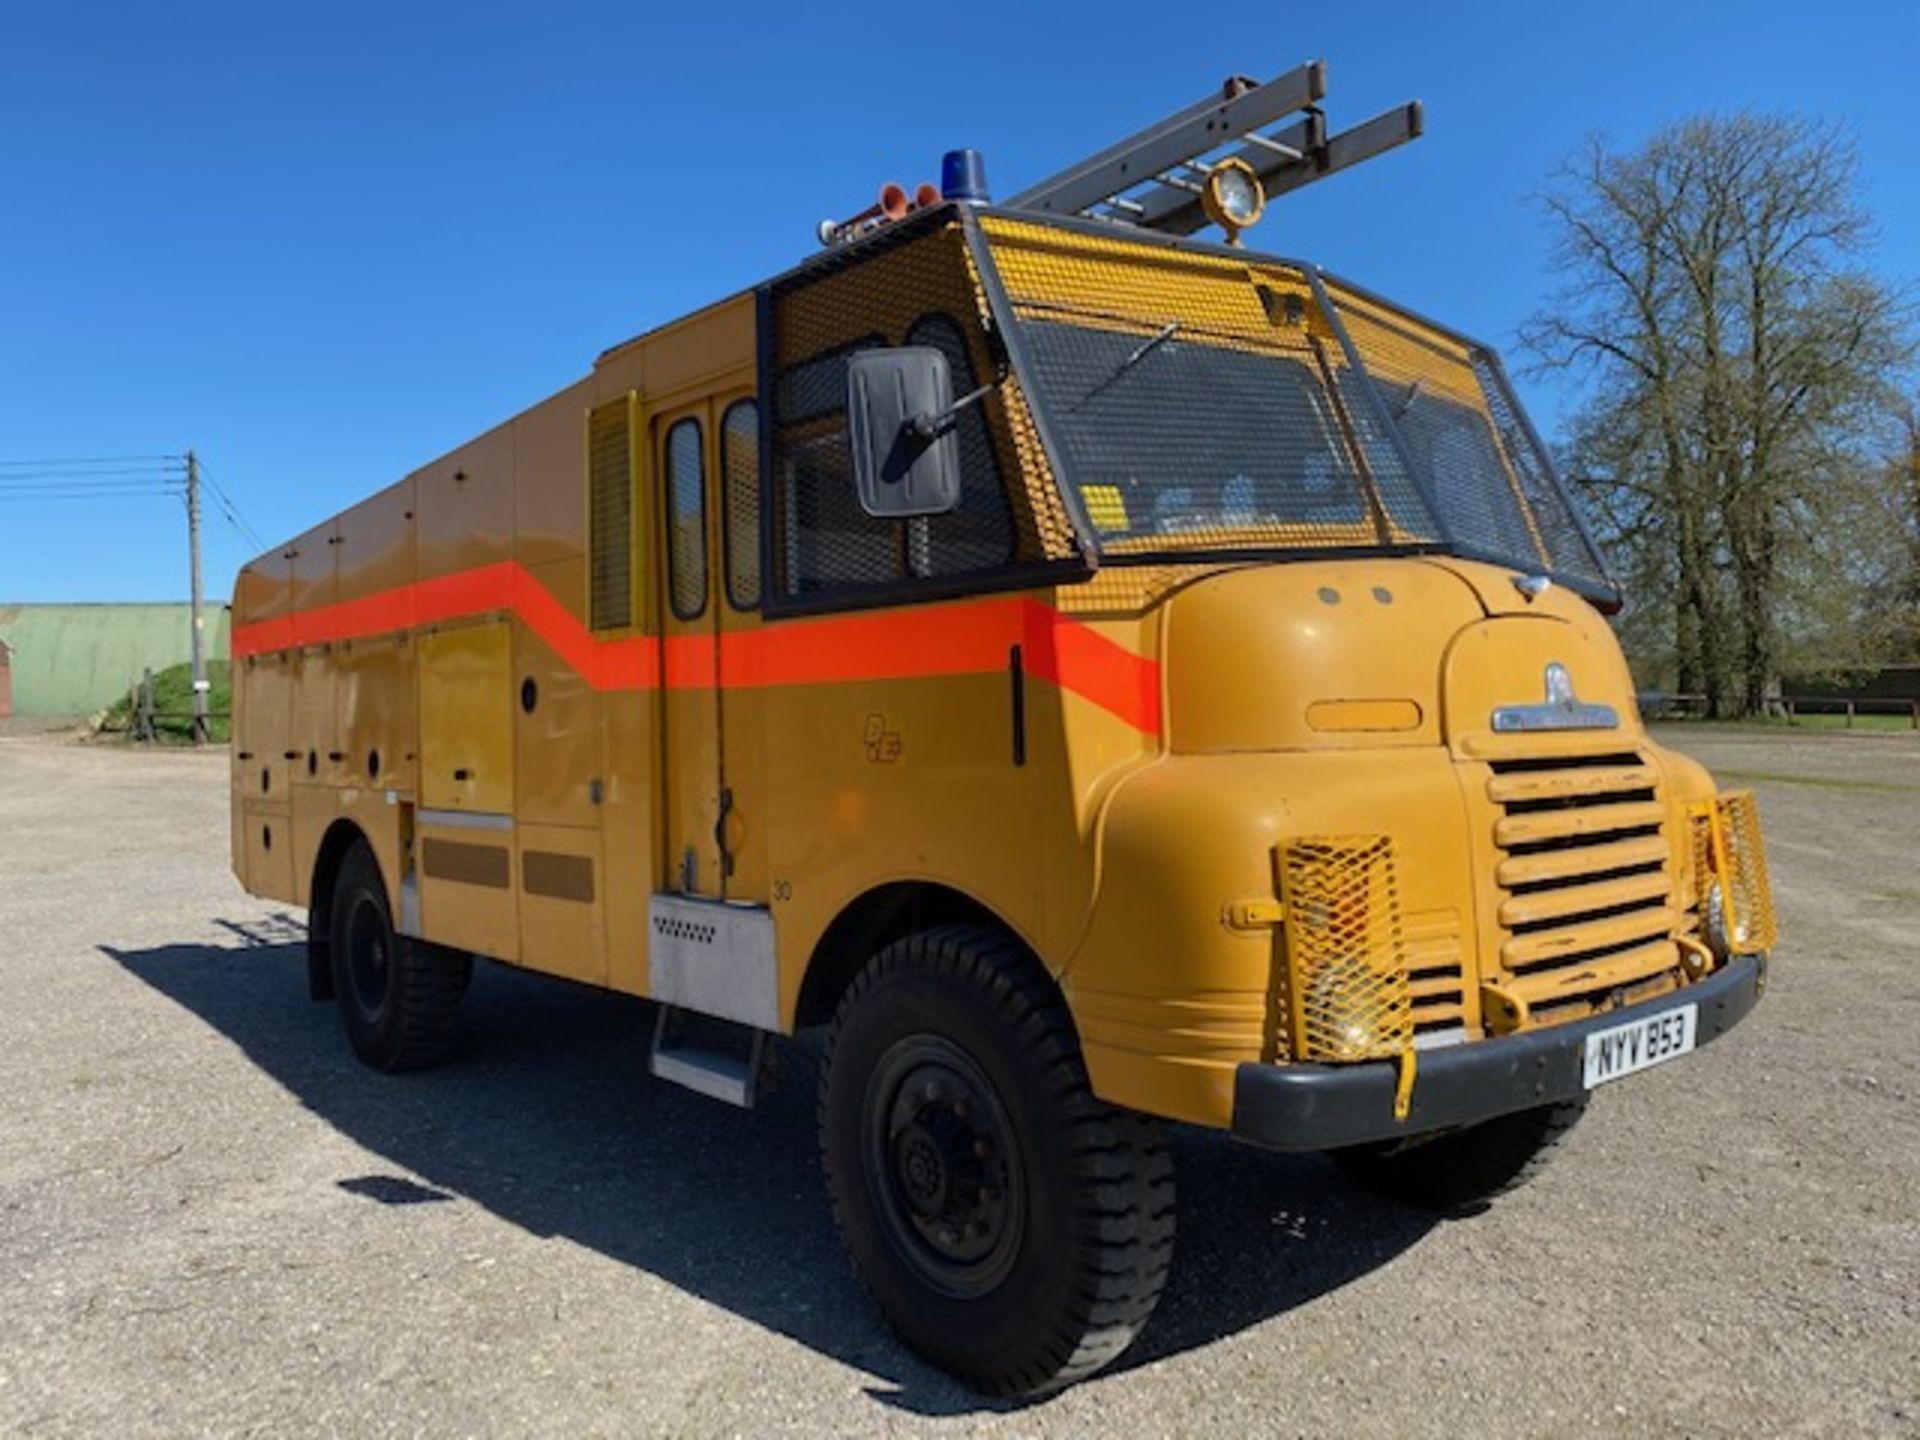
(1742, 373)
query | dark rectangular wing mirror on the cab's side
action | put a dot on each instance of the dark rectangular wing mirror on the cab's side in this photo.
(901, 433)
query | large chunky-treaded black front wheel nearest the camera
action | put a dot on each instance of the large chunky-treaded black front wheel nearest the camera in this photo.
(1011, 1226)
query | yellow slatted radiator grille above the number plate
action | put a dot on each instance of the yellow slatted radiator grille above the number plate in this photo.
(1589, 888)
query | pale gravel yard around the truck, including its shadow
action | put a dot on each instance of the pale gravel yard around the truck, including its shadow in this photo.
(214, 1222)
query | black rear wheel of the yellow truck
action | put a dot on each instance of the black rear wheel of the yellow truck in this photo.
(396, 997)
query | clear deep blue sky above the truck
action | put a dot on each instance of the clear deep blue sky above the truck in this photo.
(327, 243)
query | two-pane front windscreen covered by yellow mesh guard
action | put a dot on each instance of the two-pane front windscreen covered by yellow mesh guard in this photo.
(1209, 402)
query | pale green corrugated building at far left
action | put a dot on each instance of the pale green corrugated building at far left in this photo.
(76, 660)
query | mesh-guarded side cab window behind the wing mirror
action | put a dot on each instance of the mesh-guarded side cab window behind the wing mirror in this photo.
(915, 287)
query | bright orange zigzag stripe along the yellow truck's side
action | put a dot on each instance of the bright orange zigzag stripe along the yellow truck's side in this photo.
(957, 638)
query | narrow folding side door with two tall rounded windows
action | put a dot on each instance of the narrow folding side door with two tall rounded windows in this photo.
(711, 717)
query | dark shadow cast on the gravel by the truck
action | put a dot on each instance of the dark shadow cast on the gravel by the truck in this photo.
(550, 1120)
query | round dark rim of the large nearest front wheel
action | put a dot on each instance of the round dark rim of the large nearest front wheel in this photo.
(942, 1166)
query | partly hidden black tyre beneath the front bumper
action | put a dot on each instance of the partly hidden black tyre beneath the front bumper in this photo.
(1468, 1166)
